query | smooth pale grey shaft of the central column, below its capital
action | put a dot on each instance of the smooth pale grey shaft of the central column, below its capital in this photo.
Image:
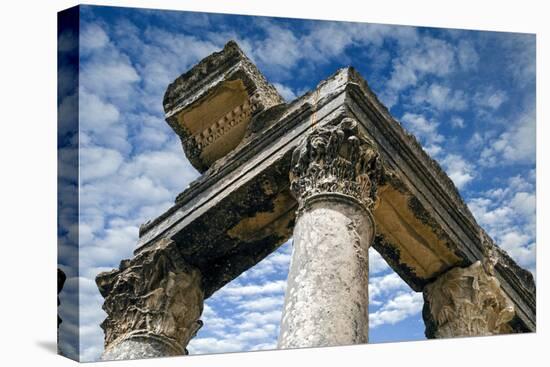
(326, 301)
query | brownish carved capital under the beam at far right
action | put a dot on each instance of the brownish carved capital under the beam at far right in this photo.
(468, 301)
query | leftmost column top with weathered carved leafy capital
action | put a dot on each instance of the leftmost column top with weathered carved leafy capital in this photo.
(153, 304)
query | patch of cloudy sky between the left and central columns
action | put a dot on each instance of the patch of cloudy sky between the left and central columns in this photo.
(245, 314)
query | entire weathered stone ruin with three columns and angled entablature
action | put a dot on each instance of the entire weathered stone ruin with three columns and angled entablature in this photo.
(336, 172)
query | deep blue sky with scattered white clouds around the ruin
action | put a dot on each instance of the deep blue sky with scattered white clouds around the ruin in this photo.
(468, 96)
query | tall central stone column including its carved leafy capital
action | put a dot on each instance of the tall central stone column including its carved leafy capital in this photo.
(332, 177)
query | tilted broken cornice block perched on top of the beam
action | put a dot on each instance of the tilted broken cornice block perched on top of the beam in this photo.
(211, 105)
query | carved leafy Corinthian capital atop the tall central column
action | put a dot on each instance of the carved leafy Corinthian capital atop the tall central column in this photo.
(335, 159)
